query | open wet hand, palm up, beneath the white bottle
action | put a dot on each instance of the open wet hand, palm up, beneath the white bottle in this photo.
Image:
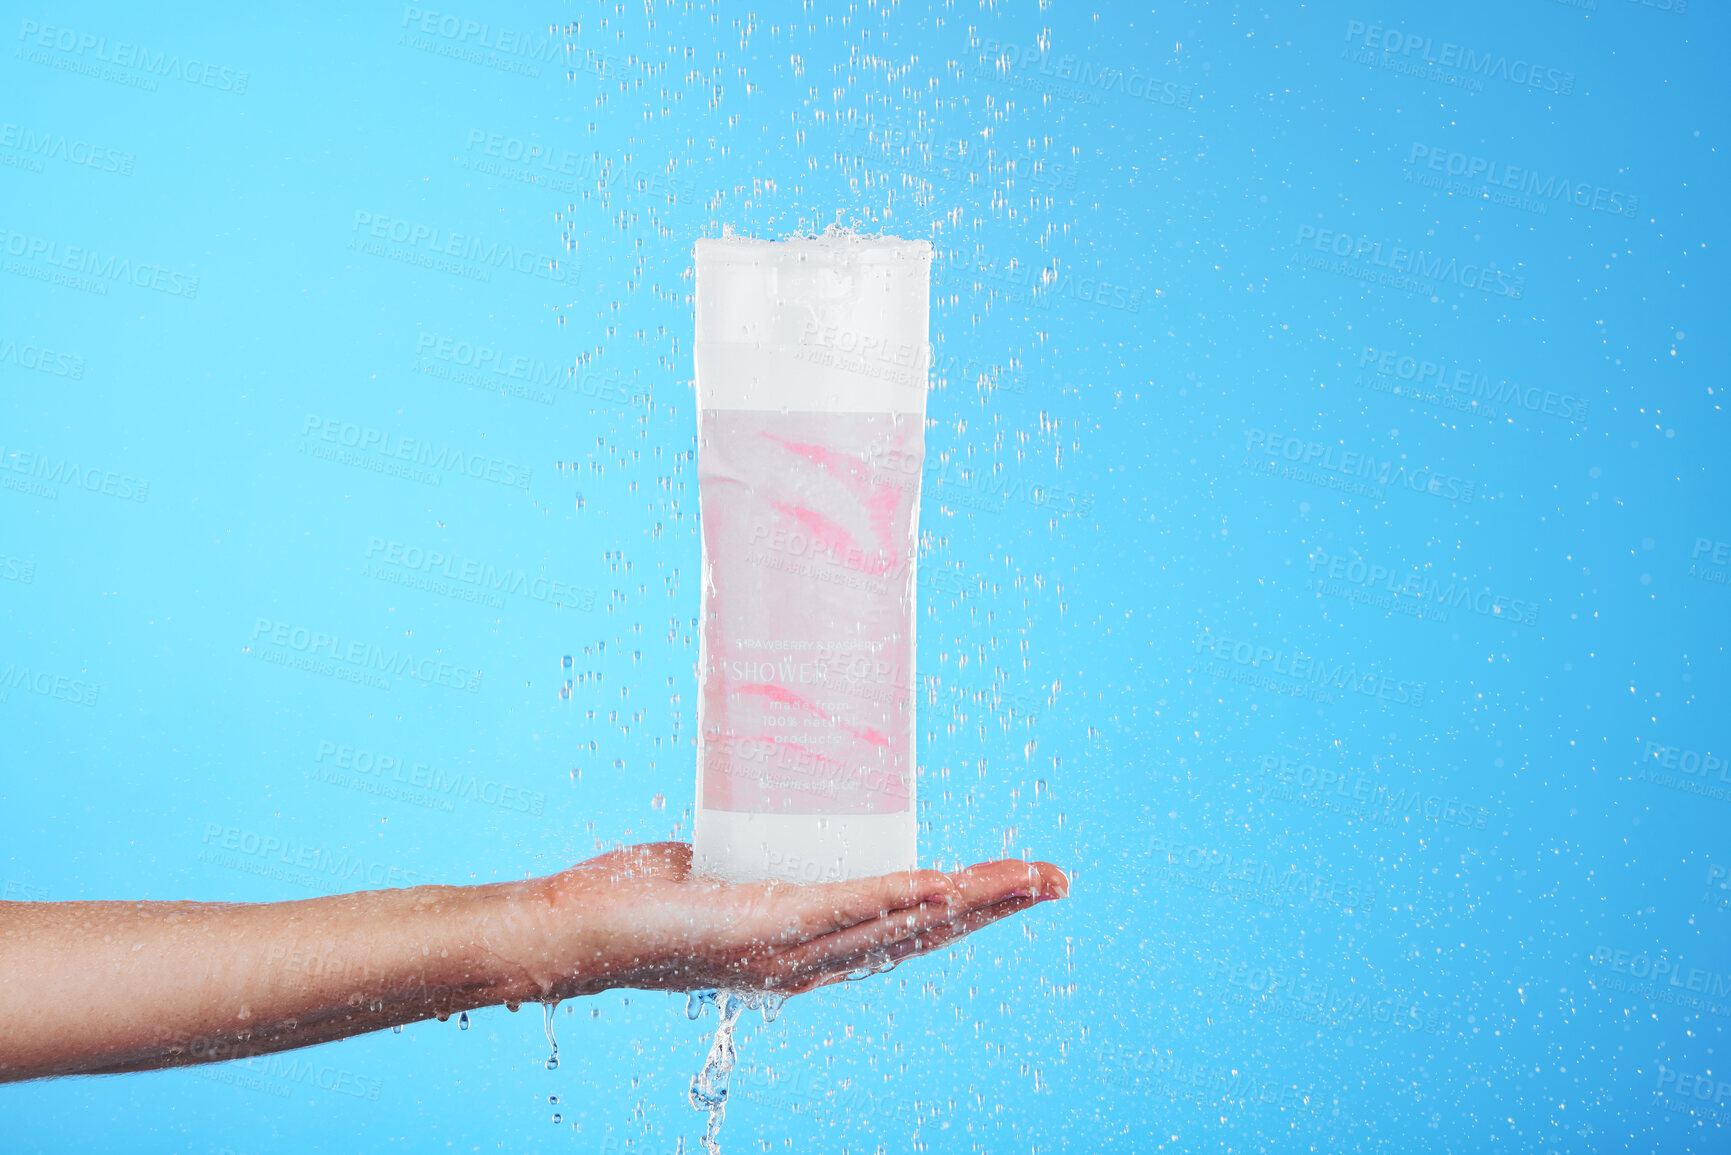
(641, 919)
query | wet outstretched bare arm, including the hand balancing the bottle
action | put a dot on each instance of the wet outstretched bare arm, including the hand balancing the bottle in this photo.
(100, 988)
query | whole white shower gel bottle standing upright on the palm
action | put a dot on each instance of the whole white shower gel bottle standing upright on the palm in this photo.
(811, 436)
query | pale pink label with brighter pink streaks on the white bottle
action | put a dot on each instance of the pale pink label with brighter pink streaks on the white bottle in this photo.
(809, 610)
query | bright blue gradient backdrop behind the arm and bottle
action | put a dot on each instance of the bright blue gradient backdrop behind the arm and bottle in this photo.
(1097, 538)
